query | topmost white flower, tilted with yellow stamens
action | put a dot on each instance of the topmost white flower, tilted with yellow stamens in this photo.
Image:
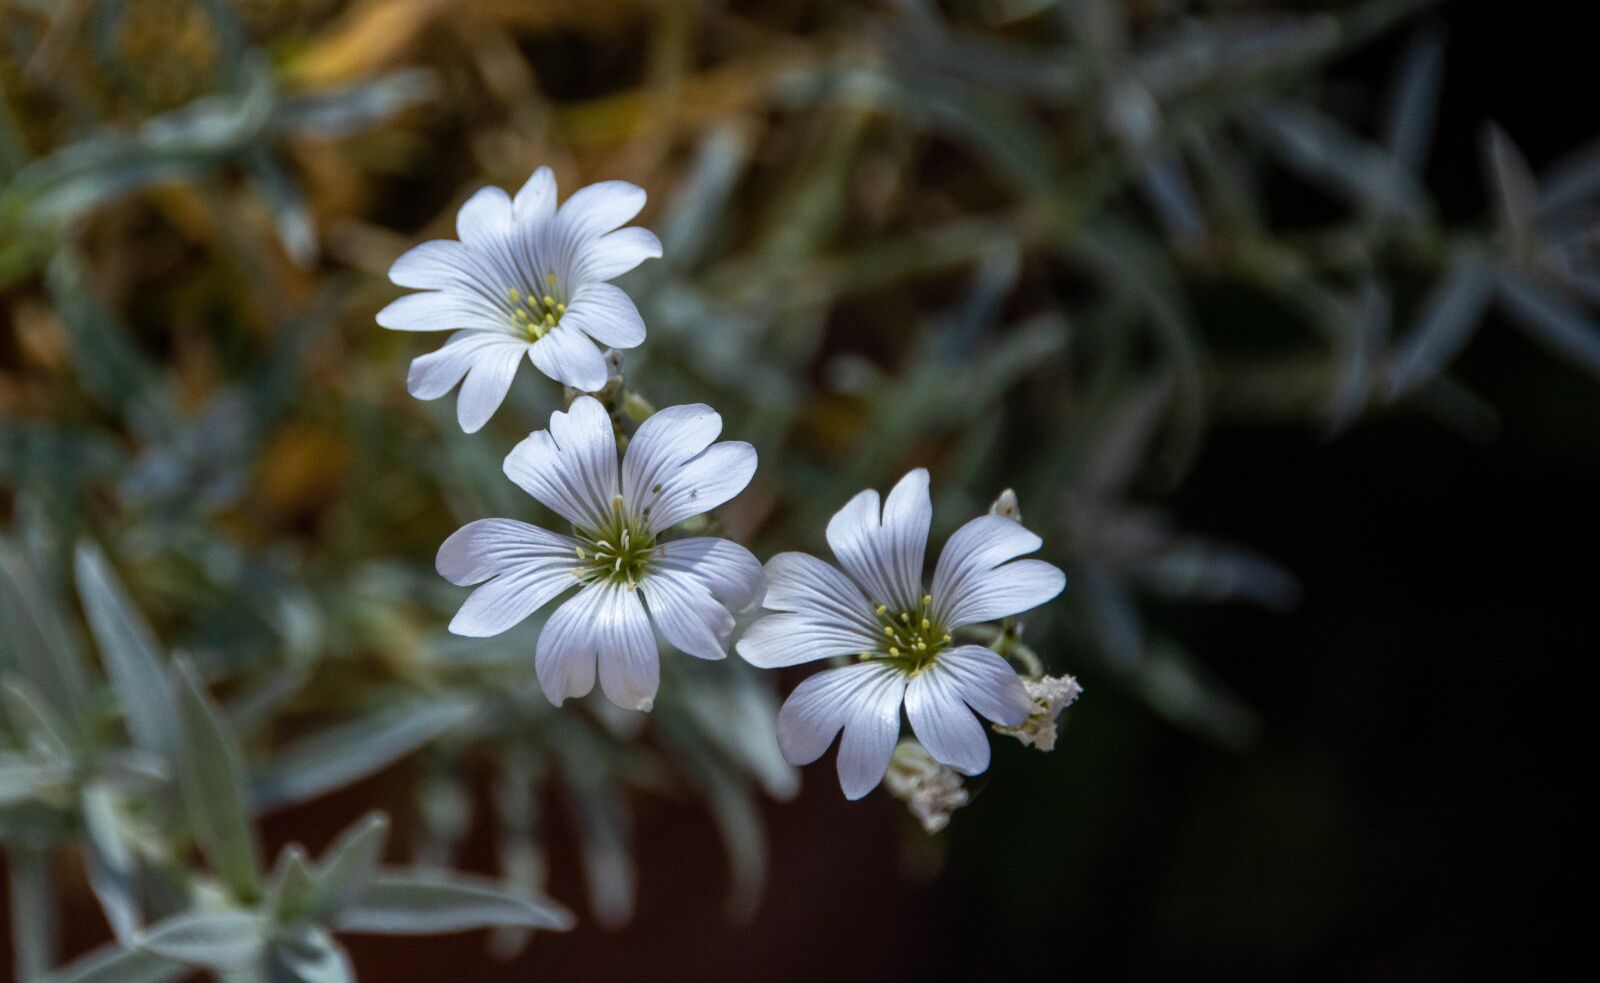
(527, 279)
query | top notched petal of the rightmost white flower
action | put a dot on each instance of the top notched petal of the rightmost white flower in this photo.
(886, 553)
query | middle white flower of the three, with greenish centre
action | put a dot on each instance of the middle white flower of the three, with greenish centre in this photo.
(690, 587)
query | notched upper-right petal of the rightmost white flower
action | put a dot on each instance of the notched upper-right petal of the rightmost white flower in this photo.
(975, 584)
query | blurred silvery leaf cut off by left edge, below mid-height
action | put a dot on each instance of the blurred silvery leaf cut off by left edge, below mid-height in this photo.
(36, 640)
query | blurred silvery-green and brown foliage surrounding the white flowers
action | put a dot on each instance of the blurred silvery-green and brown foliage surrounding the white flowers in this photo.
(1025, 243)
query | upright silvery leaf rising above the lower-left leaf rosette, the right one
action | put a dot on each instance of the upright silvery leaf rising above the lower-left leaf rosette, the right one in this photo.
(214, 785)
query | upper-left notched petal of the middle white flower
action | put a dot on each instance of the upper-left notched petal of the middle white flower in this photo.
(570, 468)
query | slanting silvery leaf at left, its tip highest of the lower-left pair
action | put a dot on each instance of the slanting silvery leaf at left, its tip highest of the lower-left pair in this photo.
(130, 652)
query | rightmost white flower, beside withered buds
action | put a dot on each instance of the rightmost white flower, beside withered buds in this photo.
(902, 635)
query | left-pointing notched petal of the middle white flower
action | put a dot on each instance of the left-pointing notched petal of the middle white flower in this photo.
(530, 568)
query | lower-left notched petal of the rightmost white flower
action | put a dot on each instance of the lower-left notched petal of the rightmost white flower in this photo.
(863, 697)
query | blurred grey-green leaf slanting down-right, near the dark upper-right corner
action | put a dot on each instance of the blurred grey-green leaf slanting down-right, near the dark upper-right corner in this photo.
(1329, 154)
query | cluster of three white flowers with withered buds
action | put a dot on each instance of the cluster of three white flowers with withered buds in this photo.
(529, 278)
